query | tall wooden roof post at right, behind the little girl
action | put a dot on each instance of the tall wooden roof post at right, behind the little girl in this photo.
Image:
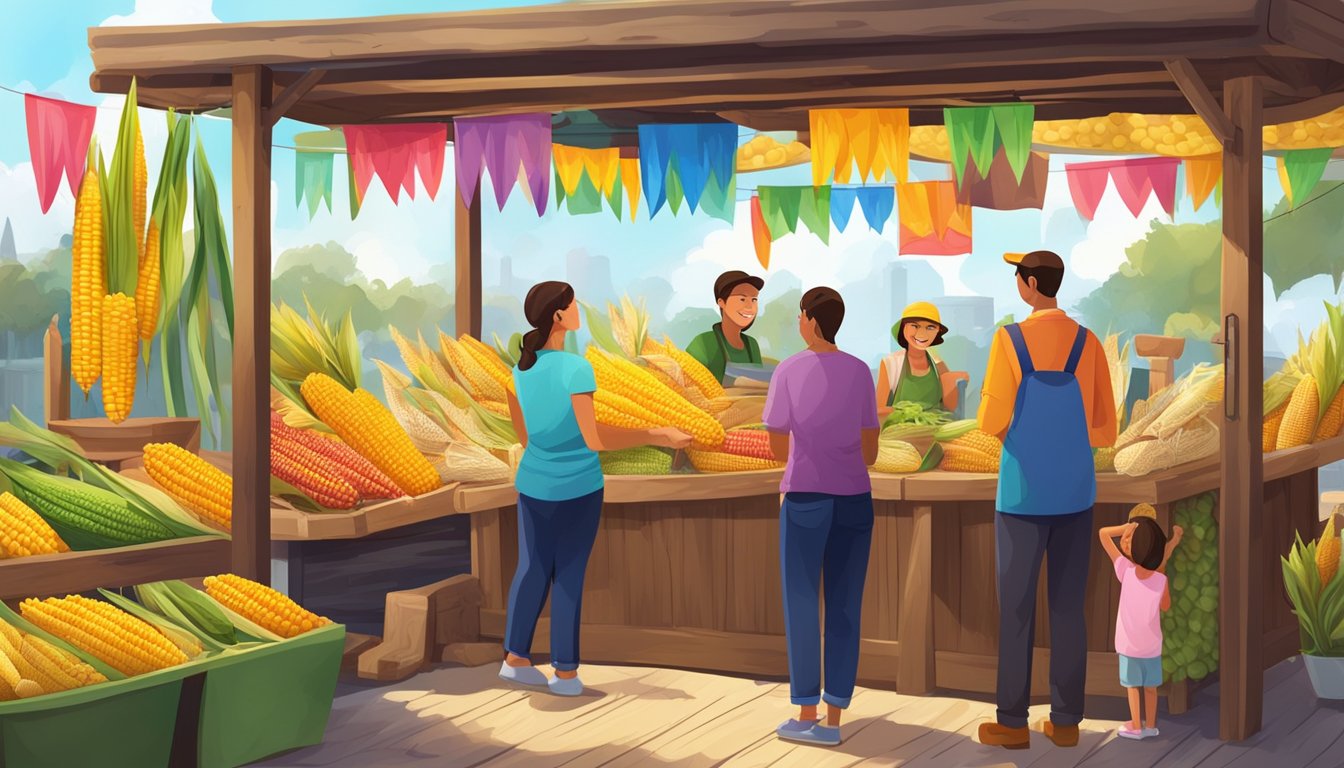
(1241, 571)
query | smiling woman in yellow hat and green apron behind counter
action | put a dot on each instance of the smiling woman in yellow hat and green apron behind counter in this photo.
(912, 373)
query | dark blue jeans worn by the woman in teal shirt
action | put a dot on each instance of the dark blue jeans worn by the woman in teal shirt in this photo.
(554, 543)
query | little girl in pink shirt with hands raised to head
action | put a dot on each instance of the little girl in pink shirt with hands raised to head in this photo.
(1144, 595)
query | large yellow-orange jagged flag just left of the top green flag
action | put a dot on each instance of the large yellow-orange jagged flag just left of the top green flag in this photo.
(876, 141)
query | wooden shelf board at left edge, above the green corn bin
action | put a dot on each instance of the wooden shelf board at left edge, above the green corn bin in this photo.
(79, 572)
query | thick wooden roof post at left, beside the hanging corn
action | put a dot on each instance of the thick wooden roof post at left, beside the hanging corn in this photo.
(252, 325)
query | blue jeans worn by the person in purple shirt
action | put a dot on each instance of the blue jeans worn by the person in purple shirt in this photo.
(825, 539)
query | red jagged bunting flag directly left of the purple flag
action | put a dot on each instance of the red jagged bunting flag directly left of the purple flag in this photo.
(394, 153)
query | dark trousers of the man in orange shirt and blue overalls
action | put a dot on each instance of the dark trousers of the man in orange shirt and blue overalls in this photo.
(1021, 543)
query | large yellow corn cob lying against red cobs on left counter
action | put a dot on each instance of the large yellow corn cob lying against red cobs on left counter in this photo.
(368, 427)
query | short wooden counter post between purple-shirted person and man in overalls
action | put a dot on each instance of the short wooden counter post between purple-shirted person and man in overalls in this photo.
(916, 668)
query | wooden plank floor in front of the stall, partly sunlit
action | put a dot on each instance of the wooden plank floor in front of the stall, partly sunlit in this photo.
(630, 718)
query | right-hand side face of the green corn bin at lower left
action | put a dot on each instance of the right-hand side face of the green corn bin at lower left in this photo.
(269, 700)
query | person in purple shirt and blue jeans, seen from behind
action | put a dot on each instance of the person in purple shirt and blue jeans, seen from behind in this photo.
(823, 420)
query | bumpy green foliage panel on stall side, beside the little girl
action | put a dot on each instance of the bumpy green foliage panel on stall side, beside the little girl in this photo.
(1190, 629)
